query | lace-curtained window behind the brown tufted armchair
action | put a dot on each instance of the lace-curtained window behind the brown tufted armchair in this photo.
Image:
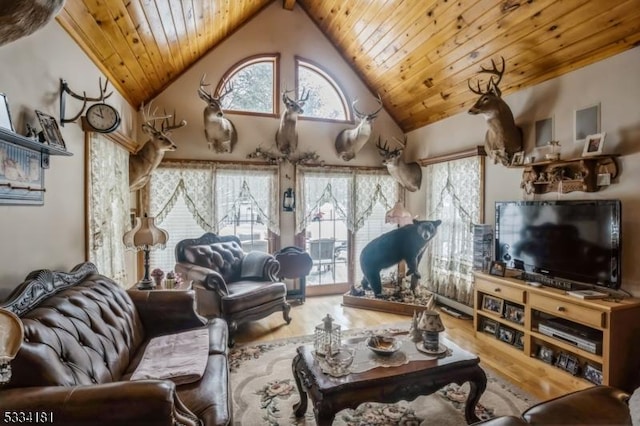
(189, 199)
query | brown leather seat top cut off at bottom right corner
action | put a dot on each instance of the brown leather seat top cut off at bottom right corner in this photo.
(597, 405)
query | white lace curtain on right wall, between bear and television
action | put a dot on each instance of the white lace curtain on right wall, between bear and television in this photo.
(454, 190)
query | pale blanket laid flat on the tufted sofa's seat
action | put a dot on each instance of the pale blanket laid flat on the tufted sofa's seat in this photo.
(180, 357)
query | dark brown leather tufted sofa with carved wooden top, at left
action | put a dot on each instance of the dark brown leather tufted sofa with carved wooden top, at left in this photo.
(85, 336)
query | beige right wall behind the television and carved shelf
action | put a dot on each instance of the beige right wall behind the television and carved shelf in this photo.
(615, 84)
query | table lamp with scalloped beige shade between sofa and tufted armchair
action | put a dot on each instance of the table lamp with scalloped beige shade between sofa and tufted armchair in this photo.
(145, 236)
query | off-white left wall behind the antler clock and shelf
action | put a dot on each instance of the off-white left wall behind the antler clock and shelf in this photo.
(50, 236)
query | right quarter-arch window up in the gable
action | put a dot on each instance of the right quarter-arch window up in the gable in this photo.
(327, 100)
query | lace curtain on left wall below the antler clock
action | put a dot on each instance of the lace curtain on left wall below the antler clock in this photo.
(109, 204)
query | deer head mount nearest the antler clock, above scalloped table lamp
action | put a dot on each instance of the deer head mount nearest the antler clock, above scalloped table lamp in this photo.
(147, 158)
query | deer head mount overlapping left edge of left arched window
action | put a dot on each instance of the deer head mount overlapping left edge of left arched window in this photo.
(220, 132)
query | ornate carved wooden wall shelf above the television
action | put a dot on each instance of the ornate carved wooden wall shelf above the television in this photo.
(576, 174)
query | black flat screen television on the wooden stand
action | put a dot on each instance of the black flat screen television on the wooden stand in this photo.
(577, 240)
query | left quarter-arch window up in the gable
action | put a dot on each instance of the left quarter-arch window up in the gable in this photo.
(254, 82)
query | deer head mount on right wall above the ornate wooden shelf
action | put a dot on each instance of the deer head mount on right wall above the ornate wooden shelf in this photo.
(503, 138)
